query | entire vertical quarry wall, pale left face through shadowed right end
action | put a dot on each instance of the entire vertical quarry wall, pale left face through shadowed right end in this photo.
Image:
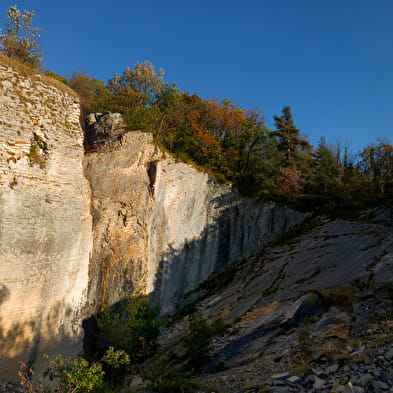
(79, 231)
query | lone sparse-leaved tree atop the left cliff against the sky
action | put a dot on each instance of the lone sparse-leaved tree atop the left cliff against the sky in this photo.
(20, 39)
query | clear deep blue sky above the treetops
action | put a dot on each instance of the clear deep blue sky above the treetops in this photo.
(331, 61)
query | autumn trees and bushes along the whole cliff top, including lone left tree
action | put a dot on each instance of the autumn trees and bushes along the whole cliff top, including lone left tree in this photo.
(232, 143)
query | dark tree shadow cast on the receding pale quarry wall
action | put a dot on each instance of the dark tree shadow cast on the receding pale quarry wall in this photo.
(241, 229)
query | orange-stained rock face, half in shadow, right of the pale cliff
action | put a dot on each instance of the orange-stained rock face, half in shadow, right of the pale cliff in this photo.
(161, 226)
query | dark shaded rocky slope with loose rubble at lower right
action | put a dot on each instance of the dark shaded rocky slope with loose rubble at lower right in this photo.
(316, 306)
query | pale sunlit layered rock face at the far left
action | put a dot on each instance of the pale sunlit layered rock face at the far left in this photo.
(45, 222)
